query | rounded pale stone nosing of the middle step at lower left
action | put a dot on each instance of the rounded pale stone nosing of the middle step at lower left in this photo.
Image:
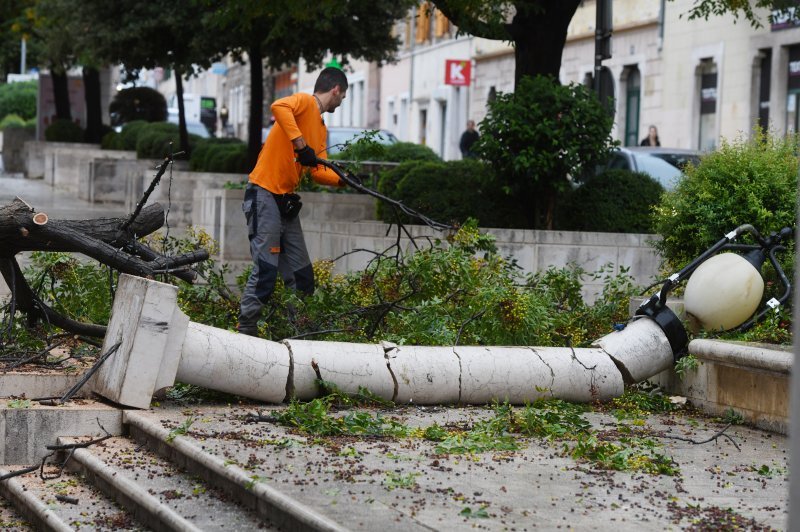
(147, 509)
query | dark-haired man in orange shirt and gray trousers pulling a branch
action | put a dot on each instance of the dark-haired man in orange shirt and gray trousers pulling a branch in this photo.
(298, 137)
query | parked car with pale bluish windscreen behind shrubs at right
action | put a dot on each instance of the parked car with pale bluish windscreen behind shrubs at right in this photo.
(665, 165)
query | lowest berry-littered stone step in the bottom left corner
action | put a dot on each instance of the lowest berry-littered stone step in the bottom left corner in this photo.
(87, 508)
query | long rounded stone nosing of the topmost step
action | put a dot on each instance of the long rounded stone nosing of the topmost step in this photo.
(270, 503)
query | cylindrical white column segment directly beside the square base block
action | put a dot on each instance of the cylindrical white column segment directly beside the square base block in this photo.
(234, 363)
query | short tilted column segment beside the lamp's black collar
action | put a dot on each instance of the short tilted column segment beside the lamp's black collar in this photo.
(640, 351)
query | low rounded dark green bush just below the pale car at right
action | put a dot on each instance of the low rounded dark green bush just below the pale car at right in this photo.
(616, 201)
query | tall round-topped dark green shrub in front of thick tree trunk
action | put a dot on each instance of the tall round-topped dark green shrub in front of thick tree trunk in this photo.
(536, 136)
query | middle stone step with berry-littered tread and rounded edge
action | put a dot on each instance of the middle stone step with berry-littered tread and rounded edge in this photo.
(158, 493)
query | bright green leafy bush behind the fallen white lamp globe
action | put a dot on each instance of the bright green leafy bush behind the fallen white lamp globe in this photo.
(747, 181)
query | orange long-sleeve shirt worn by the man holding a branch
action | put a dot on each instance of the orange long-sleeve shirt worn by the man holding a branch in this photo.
(276, 170)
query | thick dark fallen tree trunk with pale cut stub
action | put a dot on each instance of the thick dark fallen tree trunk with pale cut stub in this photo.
(111, 241)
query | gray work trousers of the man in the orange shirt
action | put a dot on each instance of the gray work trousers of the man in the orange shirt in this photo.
(276, 246)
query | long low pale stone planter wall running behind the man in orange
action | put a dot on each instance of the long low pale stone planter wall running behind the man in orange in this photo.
(334, 224)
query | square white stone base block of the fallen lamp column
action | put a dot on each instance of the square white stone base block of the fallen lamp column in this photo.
(147, 321)
